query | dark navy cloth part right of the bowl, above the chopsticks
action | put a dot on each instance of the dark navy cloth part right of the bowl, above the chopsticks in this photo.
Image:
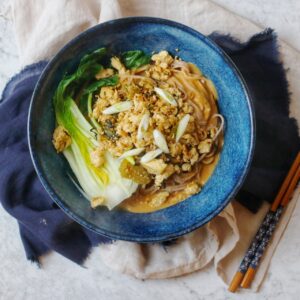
(277, 140)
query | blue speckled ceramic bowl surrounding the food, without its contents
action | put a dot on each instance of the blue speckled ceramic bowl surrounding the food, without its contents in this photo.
(148, 34)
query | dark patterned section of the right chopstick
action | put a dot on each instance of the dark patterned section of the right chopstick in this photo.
(266, 239)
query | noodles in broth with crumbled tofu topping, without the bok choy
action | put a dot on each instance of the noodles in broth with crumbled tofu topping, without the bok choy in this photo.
(163, 94)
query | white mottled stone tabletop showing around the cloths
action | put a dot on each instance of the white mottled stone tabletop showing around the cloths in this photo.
(61, 279)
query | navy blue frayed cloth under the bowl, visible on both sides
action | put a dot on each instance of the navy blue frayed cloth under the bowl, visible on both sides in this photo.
(44, 227)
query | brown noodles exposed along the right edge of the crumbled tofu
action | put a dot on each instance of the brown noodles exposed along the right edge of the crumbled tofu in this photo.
(194, 89)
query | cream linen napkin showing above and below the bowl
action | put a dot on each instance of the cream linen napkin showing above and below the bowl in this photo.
(43, 27)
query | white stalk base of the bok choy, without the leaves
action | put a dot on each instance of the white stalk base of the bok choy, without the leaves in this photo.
(105, 181)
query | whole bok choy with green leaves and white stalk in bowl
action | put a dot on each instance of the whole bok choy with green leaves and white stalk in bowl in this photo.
(104, 181)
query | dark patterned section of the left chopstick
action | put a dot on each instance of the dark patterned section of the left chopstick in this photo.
(256, 242)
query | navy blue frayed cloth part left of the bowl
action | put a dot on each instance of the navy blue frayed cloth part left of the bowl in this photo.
(43, 226)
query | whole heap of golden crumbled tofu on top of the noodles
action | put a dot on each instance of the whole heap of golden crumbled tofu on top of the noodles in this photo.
(119, 132)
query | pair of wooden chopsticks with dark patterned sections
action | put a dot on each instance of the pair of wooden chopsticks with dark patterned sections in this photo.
(250, 262)
